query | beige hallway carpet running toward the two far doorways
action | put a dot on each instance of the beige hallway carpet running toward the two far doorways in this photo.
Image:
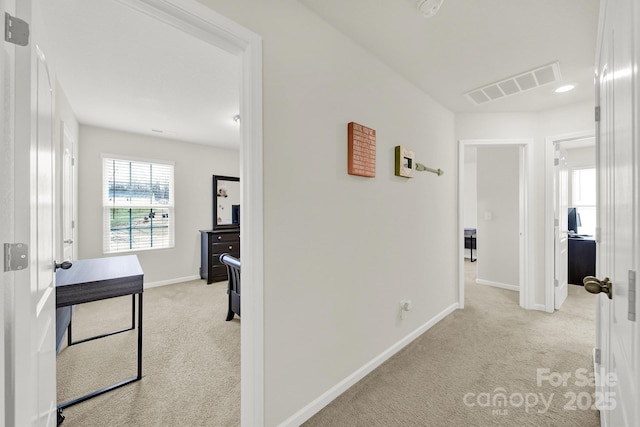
(451, 374)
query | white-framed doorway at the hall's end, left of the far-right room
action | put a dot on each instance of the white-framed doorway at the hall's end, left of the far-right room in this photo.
(493, 213)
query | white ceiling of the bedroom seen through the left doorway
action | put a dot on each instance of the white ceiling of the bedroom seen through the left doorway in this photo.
(121, 69)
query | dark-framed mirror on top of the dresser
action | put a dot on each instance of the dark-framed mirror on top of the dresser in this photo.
(226, 202)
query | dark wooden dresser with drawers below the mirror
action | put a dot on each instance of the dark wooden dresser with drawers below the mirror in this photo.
(214, 243)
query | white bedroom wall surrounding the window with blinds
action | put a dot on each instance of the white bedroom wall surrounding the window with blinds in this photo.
(194, 166)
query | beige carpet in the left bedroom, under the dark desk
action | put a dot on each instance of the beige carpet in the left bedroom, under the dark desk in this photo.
(191, 361)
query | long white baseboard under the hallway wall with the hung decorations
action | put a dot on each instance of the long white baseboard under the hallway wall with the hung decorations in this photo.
(315, 406)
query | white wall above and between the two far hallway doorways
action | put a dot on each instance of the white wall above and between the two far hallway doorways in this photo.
(569, 119)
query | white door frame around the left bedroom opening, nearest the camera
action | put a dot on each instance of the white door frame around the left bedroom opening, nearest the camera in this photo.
(203, 22)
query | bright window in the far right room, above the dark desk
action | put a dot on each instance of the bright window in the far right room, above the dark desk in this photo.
(583, 188)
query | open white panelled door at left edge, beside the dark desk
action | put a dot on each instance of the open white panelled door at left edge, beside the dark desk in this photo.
(31, 317)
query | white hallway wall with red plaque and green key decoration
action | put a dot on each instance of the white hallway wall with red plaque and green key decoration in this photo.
(341, 251)
